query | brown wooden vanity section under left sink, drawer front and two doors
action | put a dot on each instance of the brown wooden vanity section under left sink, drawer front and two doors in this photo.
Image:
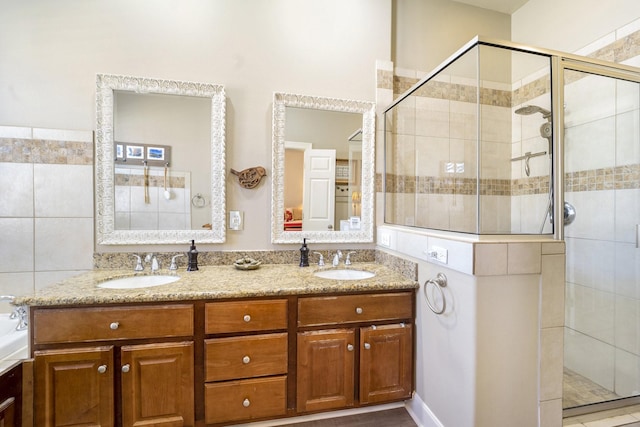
(126, 366)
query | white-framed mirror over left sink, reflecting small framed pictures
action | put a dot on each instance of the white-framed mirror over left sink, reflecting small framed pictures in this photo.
(160, 161)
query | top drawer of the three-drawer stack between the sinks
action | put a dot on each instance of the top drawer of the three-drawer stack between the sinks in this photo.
(245, 316)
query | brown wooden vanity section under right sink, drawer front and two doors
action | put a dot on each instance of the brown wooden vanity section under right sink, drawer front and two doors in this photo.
(376, 353)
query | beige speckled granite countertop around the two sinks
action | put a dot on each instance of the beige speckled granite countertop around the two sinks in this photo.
(214, 282)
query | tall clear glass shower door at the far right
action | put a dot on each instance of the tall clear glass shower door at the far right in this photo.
(602, 180)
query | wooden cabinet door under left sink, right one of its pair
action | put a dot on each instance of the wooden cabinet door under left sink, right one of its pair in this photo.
(157, 384)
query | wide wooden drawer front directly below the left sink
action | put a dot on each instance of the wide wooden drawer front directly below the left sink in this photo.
(112, 323)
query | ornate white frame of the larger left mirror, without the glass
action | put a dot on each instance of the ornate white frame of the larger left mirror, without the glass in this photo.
(106, 234)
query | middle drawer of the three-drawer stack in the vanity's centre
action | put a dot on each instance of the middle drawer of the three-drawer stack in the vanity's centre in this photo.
(245, 357)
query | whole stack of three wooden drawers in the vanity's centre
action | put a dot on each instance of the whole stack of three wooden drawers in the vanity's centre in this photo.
(246, 360)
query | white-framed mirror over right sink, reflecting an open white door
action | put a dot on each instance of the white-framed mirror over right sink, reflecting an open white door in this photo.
(323, 166)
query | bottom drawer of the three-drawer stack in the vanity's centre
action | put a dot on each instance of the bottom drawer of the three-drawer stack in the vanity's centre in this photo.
(245, 400)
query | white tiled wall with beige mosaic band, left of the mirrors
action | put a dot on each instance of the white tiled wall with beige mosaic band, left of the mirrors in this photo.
(46, 207)
